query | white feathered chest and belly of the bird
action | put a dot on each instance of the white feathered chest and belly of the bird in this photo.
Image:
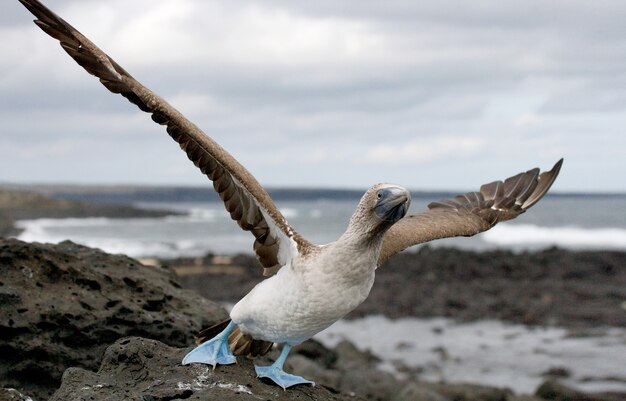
(306, 297)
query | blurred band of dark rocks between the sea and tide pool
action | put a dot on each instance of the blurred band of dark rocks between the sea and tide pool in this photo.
(549, 287)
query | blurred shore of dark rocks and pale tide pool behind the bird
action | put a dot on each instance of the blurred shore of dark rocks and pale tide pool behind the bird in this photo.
(486, 317)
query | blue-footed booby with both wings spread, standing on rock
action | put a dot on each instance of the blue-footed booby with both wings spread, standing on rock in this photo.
(310, 286)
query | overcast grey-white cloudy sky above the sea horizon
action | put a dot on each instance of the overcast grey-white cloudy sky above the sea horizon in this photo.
(426, 94)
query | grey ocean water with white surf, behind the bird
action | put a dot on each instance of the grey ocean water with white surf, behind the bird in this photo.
(574, 222)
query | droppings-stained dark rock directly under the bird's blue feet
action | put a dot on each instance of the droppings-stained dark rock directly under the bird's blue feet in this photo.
(147, 370)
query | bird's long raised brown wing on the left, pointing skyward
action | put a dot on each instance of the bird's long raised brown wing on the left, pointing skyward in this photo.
(245, 199)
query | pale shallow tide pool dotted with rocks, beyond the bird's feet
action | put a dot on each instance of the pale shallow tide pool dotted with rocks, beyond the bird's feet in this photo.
(488, 352)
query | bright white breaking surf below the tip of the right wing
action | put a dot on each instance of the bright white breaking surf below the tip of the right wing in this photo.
(567, 237)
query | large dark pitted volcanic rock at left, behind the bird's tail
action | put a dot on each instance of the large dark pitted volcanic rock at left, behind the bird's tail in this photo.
(62, 305)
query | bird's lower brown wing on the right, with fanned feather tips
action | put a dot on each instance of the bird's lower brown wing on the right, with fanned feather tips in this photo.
(471, 213)
